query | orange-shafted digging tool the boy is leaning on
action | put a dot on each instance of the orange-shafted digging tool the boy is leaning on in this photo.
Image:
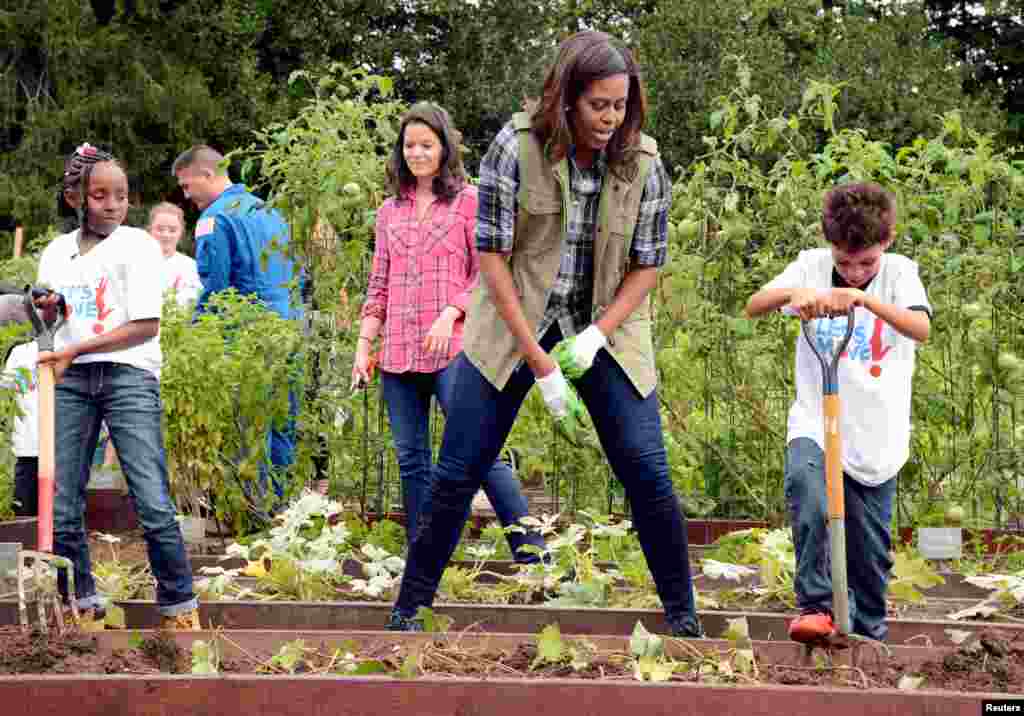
(829, 357)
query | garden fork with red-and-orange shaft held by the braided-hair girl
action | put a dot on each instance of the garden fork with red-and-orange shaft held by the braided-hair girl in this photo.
(34, 567)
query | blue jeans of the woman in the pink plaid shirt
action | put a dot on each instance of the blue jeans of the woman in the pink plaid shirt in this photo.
(408, 398)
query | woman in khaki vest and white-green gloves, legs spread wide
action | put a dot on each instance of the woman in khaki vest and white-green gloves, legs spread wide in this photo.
(572, 229)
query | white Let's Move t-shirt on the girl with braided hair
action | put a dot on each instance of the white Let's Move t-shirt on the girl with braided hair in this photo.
(119, 281)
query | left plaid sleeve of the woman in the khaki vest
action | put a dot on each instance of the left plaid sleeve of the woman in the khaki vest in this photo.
(498, 188)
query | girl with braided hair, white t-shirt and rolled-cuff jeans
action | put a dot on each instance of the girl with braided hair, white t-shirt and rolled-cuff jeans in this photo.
(107, 363)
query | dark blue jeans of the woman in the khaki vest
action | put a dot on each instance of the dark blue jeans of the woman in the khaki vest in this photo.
(630, 430)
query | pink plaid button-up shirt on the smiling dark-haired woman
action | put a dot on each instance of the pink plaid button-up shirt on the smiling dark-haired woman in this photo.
(420, 269)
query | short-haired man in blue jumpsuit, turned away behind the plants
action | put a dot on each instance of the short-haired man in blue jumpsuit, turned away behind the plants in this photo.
(240, 244)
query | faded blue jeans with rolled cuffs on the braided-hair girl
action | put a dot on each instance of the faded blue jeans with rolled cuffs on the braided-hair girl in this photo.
(127, 399)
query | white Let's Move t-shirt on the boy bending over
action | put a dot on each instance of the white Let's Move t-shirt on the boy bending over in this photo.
(875, 374)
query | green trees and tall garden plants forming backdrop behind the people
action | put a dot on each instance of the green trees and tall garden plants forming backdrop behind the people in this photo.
(758, 107)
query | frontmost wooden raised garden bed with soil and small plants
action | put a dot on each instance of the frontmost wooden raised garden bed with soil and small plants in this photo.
(470, 675)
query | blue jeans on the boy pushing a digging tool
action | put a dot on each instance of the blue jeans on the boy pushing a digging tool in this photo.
(869, 539)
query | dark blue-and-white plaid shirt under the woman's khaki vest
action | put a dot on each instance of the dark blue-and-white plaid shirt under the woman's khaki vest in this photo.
(571, 299)
